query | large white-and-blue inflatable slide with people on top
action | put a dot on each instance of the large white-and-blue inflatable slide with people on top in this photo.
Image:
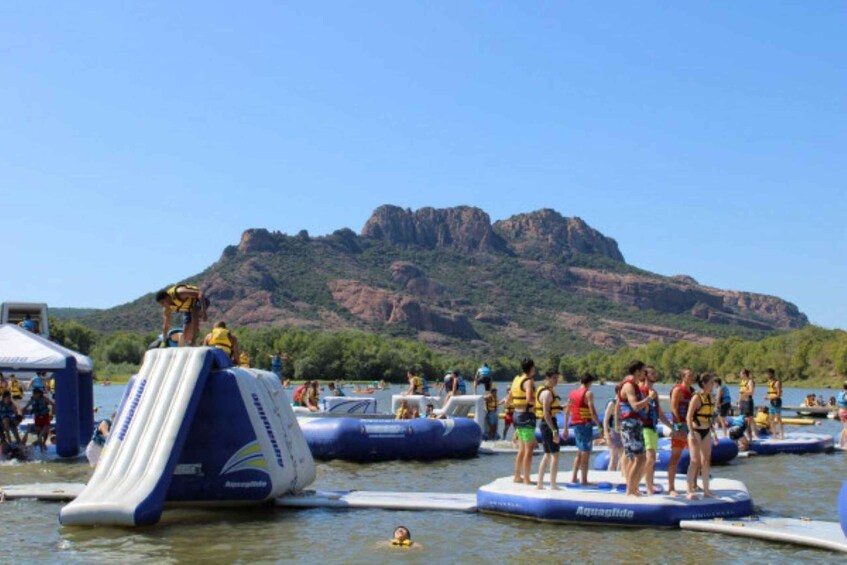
(192, 429)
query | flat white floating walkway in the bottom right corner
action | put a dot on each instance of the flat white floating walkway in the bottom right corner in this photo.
(813, 533)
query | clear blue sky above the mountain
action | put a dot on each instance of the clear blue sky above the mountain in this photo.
(137, 140)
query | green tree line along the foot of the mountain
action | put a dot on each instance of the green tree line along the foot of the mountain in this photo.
(811, 355)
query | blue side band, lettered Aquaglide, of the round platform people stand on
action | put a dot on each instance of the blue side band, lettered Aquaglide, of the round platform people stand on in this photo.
(583, 512)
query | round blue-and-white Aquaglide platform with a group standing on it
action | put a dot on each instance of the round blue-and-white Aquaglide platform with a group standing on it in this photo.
(606, 503)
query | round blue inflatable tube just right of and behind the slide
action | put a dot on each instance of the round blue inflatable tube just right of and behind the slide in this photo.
(367, 440)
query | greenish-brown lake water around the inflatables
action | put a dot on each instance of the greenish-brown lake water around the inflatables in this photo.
(784, 485)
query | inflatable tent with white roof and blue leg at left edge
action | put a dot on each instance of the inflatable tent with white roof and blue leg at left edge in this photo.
(24, 351)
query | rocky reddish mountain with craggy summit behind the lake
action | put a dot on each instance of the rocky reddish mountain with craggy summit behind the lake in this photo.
(534, 282)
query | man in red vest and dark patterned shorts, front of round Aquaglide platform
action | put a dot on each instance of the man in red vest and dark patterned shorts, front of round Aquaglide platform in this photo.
(633, 405)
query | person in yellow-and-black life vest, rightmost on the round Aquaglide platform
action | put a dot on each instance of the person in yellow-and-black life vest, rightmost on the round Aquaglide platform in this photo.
(701, 415)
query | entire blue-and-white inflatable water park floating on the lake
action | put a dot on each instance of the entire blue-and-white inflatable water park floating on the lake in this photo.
(191, 429)
